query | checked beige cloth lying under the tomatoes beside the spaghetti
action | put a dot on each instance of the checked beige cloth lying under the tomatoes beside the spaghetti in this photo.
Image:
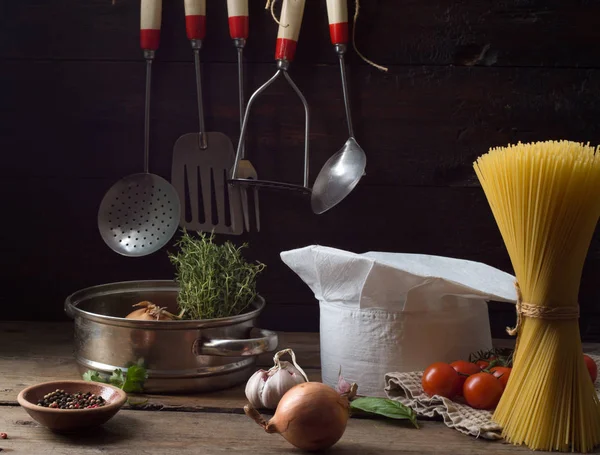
(406, 388)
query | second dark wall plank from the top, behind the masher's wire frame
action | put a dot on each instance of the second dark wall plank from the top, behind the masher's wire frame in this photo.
(96, 127)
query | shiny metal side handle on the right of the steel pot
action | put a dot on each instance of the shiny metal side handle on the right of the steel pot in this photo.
(235, 348)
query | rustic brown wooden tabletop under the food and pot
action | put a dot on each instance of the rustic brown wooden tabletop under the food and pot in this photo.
(211, 423)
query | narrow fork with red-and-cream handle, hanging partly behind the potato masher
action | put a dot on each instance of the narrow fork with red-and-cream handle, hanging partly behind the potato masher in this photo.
(237, 11)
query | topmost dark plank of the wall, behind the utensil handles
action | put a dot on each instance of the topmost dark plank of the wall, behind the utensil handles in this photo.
(393, 32)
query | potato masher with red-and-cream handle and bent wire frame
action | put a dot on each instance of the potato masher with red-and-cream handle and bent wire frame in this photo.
(287, 38)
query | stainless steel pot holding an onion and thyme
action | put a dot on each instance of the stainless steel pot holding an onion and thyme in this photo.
(180, 356)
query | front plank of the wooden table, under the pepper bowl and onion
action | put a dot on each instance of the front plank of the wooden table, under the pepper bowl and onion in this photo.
(147, 432)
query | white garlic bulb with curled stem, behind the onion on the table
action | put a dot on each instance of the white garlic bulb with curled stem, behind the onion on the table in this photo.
(264, 389)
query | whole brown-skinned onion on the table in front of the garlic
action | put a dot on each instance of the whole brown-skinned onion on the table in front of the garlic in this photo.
(310, 416)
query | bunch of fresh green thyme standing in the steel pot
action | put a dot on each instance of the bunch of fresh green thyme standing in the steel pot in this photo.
(215, 281)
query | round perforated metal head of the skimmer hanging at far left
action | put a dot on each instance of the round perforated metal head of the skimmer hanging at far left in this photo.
(139, 214)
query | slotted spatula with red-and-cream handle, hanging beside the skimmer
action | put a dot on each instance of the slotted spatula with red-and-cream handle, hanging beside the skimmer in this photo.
(202, 161)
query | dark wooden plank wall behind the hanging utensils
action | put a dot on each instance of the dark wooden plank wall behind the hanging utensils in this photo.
(464, 75)
